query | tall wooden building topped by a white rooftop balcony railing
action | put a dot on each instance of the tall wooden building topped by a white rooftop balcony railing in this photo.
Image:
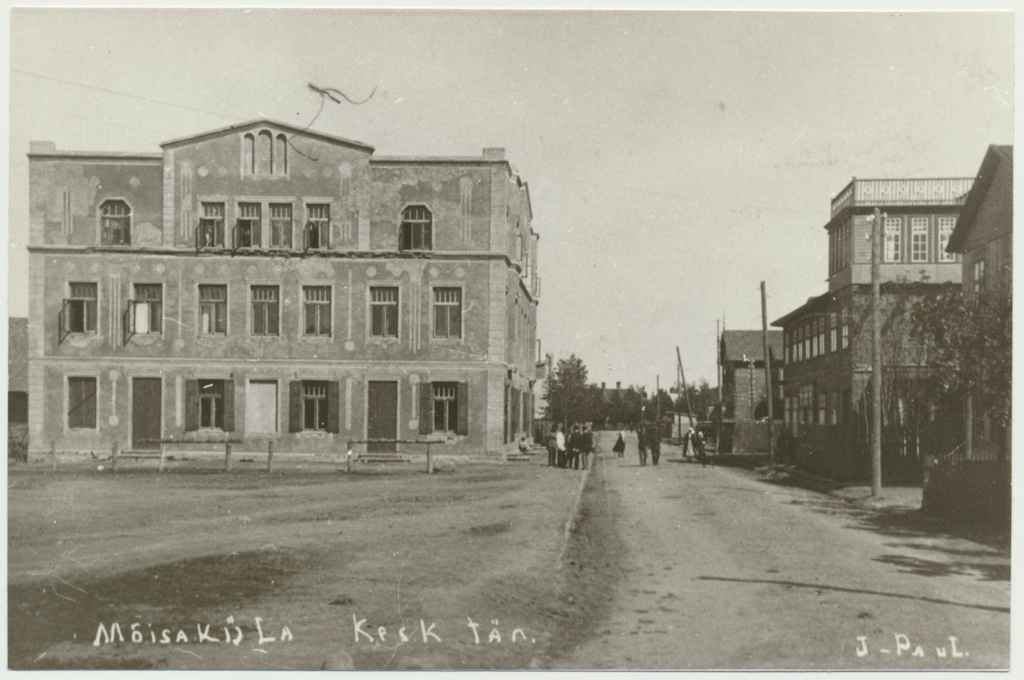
(828, 341)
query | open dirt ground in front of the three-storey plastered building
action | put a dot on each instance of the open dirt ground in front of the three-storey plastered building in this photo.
(382, 569)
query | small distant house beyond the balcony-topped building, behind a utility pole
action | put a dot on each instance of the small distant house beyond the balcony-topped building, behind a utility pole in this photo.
(743, 361)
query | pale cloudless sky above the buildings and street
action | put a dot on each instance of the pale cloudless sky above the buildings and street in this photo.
(675, 159)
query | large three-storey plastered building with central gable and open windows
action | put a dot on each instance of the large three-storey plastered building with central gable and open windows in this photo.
(262, 283)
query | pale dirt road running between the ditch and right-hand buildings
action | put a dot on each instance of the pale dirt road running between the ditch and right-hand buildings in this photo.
(721, 570)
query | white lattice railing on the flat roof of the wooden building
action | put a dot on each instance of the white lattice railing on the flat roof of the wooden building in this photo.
(941, 192)
